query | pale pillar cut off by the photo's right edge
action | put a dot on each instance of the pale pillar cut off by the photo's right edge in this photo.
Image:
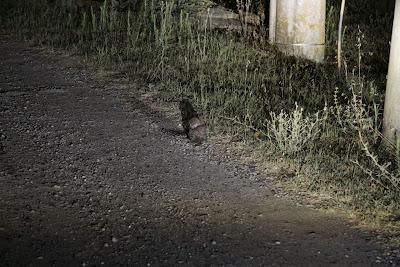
(391, 120)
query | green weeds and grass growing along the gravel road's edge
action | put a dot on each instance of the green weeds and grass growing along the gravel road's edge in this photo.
(325, 123)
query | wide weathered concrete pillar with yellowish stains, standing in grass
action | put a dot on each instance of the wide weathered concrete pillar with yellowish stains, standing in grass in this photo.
(300, 27)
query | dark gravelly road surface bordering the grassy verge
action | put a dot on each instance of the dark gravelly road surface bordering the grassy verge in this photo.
(87, 177)
